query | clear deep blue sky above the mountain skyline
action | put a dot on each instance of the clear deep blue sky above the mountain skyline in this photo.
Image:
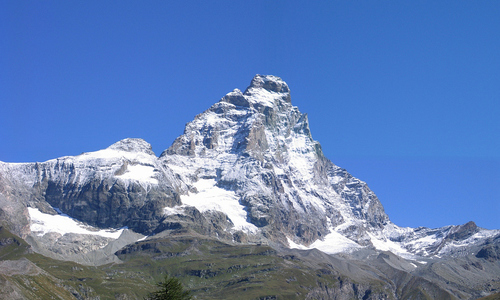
(403, 94)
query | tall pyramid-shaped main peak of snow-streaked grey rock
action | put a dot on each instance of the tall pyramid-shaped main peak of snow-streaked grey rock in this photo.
(259, 146)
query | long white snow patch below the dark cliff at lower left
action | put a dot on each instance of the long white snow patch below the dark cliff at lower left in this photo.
(42, 223)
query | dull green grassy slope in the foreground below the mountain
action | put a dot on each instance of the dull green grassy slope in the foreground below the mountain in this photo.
(209, 268)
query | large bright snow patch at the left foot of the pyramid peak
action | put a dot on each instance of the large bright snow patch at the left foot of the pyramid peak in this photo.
(212, 198)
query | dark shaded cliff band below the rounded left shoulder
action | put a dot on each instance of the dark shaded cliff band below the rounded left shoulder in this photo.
(116, 206)
